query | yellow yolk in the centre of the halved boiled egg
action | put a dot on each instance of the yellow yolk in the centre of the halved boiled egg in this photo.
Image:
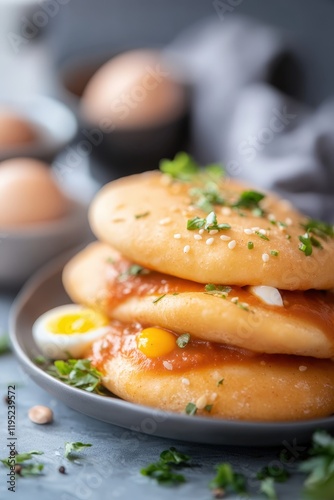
(79, 322)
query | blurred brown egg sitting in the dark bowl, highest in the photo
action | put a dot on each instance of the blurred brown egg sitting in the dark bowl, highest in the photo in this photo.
(133, 90)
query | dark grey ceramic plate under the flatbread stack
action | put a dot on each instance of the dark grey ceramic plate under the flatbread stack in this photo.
(45, 291)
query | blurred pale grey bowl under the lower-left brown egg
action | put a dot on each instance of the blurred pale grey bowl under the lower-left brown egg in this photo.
(23, 251)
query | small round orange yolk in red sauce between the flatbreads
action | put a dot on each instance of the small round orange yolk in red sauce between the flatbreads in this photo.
(155, 342)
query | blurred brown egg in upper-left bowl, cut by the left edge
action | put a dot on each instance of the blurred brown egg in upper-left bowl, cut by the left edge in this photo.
(15, 130)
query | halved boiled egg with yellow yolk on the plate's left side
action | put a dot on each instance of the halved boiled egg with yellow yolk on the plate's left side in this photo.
(68, 331)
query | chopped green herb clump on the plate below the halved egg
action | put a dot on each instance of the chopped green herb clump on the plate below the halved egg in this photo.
(78, 373)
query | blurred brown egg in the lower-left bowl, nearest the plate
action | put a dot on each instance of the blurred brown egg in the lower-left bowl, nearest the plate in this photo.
(29, 194)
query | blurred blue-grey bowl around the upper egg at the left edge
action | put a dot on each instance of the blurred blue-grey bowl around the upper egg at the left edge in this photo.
(54, 122)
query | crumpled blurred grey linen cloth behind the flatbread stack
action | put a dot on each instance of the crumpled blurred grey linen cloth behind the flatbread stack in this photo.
(247, 111)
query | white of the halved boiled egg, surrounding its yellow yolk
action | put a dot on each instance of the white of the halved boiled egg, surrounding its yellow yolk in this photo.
(63, 346)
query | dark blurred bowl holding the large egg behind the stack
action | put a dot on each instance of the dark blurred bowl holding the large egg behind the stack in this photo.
(122, 151)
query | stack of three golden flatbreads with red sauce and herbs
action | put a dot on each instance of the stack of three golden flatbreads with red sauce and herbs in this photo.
(220, 297)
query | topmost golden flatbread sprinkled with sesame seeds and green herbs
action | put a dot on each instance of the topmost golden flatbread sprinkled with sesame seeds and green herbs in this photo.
(211, 229)
